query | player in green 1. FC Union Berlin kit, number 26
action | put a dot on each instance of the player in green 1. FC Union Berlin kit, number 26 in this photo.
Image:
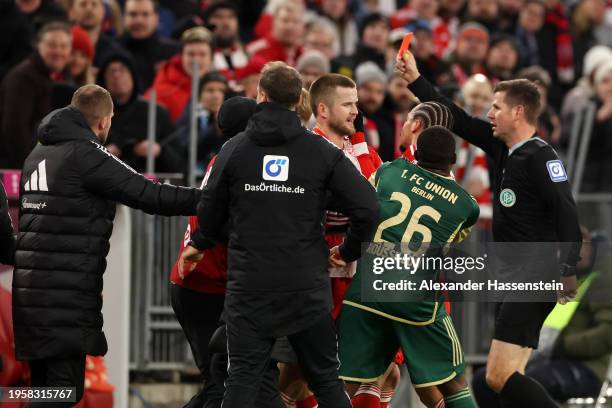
(371, 331)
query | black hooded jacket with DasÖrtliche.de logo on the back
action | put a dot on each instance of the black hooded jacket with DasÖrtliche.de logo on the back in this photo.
(270, 184)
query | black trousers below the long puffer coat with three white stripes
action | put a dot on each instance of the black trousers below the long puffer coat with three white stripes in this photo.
(58, 372)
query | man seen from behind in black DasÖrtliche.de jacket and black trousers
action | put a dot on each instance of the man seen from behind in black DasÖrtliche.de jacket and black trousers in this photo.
(270, 184)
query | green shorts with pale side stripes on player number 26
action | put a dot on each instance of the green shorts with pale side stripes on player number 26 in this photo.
(369, 342)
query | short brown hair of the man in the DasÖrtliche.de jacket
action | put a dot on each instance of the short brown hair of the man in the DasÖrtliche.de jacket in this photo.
(281, 83)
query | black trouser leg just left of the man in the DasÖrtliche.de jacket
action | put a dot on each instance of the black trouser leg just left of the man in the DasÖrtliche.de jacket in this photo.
(198, 314)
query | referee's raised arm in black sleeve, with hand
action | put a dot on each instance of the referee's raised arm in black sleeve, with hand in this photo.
(474, 130)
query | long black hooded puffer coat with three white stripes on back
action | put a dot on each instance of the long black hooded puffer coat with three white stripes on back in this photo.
(69, 186)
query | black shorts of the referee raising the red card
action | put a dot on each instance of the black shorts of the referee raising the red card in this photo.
(520, 322)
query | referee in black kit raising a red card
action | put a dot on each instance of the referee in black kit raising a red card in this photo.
(533, 203)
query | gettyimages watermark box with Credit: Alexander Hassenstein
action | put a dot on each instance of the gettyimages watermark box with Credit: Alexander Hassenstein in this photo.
(481, 272)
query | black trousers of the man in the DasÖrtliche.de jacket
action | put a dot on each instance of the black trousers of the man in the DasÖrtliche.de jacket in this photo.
(249, 358)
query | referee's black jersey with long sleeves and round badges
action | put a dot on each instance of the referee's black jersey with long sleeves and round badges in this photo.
(531, 193)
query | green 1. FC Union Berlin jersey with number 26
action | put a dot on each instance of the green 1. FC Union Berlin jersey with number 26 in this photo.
(416, 207)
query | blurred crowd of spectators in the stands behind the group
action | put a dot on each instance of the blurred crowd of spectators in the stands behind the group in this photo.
(465, 47)
